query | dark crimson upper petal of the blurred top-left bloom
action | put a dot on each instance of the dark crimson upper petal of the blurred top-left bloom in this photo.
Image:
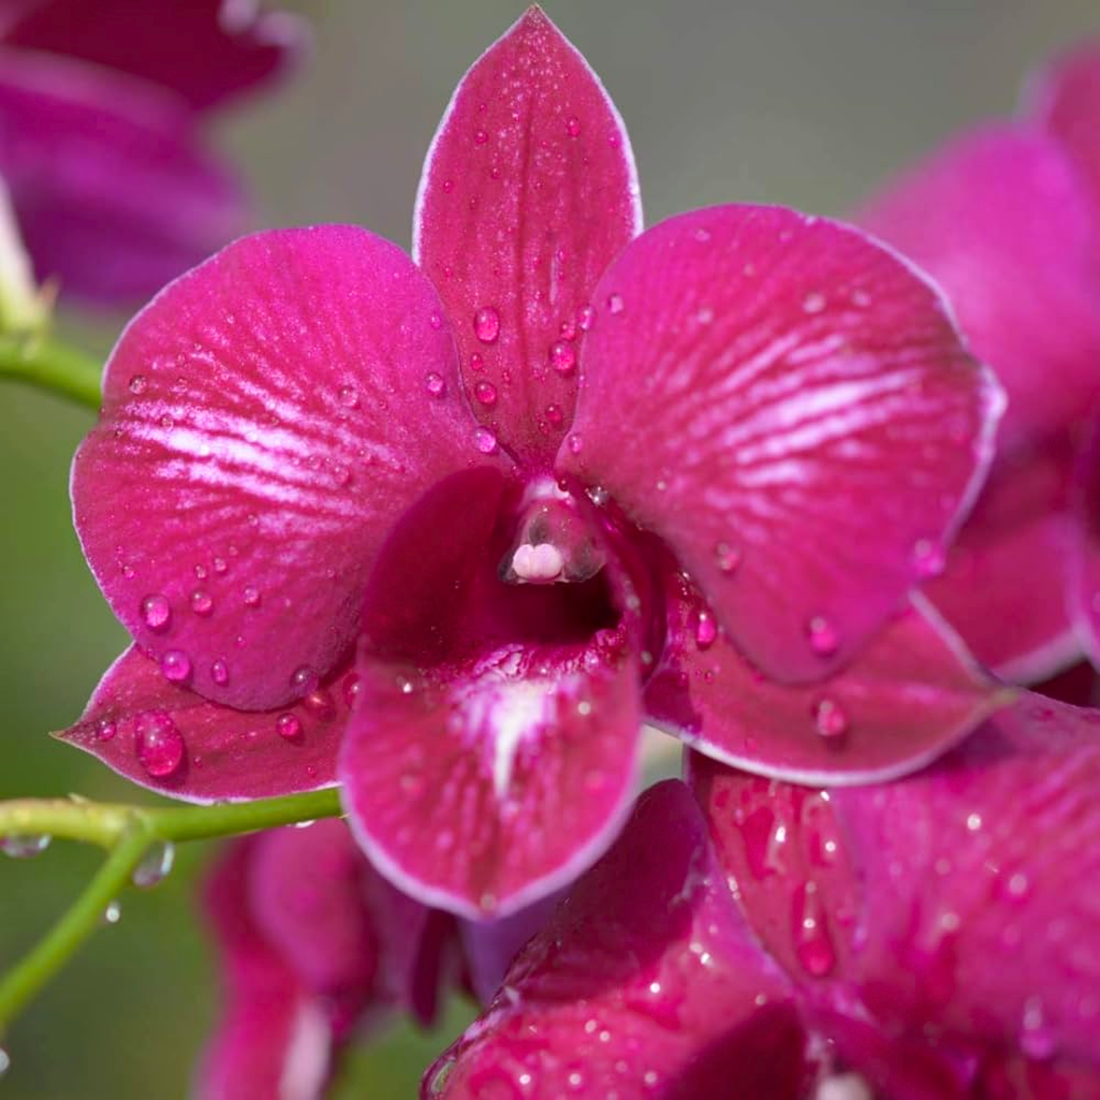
(206, 51)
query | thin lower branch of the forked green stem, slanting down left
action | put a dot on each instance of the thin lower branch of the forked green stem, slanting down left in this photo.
(23, 983)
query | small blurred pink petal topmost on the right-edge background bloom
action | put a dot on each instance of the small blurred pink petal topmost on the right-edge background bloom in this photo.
(1066, 101)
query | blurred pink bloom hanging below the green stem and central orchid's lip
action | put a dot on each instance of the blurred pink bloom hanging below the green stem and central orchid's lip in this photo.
(316, 945)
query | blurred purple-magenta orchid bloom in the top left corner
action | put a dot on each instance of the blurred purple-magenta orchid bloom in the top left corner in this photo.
(102, 107)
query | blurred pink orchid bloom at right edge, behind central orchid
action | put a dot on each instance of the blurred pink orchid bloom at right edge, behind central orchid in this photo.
(1007, 218)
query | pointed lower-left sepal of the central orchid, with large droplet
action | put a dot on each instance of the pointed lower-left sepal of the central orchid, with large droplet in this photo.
(173, 741)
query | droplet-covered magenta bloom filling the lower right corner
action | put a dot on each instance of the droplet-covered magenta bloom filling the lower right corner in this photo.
(932, 939)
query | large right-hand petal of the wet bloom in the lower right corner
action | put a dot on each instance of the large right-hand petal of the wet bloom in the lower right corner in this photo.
(992, 855)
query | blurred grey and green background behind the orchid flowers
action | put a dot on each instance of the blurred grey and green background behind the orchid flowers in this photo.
(810, 105)
